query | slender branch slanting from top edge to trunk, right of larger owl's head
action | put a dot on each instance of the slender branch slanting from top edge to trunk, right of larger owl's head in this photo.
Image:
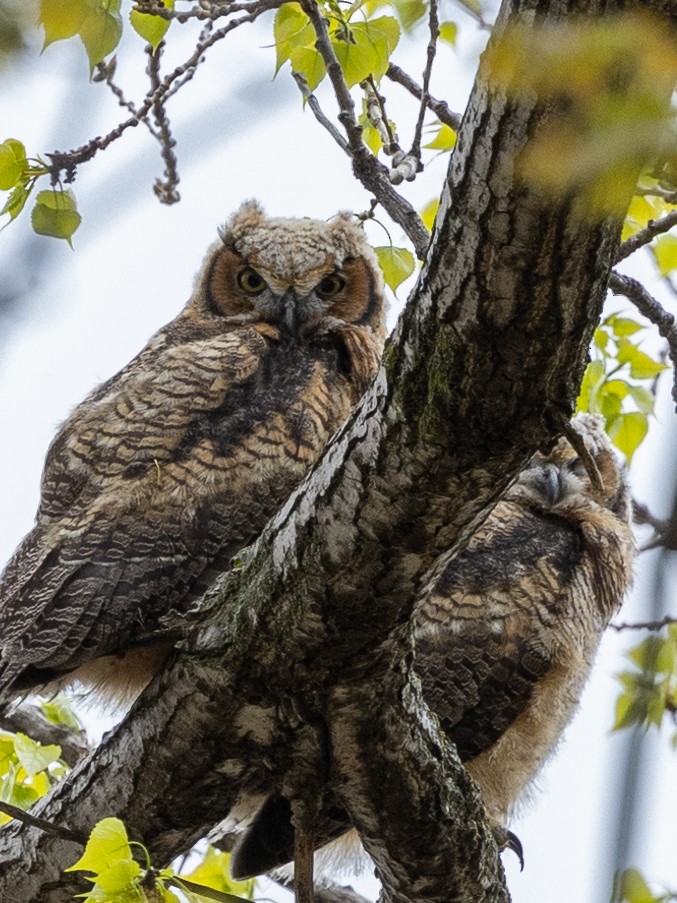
(367, 169)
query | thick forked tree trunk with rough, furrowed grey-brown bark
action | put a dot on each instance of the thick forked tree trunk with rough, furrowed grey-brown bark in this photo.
(297, 675)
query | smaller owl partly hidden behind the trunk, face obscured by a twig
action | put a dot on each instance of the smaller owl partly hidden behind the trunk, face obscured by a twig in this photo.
(505, 639)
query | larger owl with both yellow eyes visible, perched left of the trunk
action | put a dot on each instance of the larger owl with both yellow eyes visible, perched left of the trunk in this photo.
(173, 465)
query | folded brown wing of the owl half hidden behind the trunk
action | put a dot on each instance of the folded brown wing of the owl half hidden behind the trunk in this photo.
(483, 635)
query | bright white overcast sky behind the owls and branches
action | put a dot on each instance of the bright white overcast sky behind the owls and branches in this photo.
(86, 313)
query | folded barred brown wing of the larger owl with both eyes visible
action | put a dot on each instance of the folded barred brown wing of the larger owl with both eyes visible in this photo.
(121, 534)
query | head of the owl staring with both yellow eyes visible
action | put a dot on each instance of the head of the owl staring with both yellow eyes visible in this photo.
(296, 274)
